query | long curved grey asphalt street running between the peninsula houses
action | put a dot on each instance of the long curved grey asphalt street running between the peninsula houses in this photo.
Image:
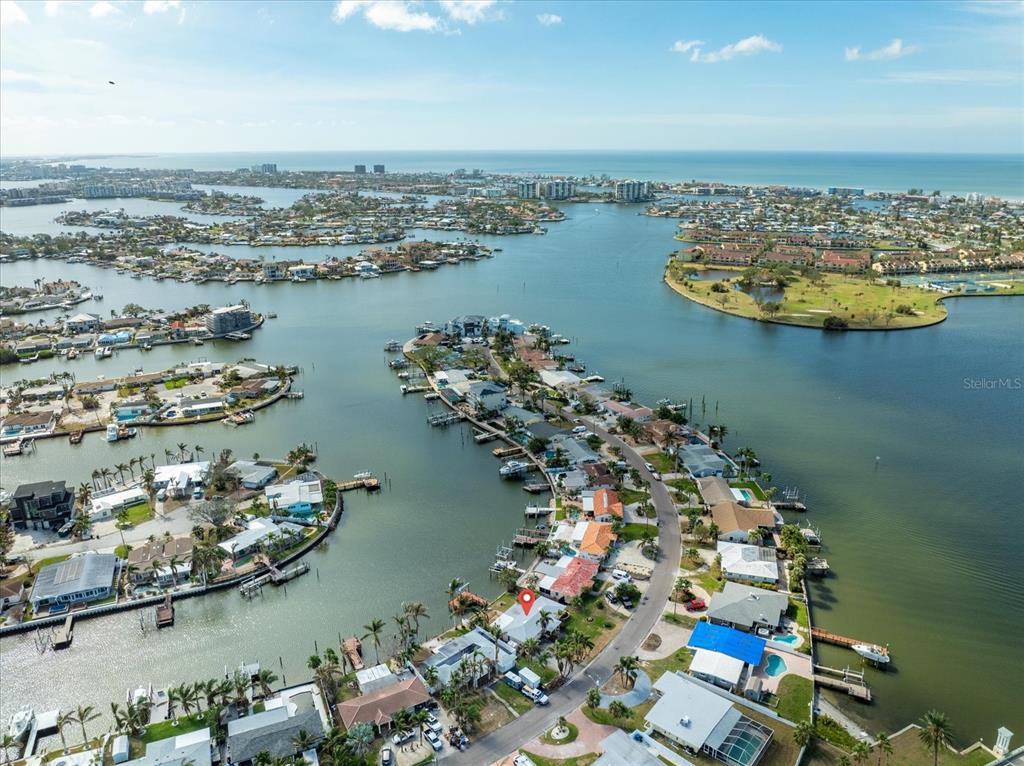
(574, 694)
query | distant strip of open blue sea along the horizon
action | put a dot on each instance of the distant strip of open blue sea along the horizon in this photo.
(991, 175)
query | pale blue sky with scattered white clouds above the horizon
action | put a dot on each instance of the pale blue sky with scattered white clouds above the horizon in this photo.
(500, 75)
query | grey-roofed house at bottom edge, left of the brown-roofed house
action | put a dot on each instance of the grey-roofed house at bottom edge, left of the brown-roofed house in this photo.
(275, 730)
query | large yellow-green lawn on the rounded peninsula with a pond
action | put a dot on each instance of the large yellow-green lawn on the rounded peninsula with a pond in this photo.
(863, 303)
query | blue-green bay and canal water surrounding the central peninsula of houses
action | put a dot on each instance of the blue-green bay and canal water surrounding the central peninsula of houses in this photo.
(925, 542)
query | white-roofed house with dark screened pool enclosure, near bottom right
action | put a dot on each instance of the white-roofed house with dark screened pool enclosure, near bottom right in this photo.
(704, 722)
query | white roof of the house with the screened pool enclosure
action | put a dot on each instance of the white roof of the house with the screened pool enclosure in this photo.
(688, 711)
